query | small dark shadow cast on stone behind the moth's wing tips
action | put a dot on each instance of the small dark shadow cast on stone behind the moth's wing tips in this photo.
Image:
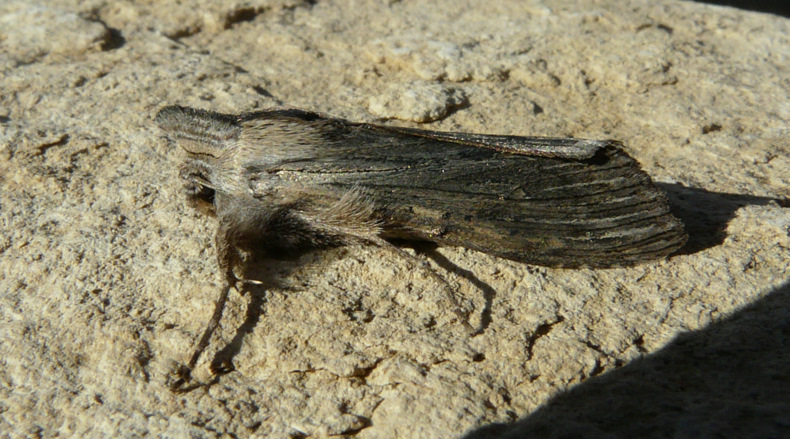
(705, 214)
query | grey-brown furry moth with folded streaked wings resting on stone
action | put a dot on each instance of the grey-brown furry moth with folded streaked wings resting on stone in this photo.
(284, 180)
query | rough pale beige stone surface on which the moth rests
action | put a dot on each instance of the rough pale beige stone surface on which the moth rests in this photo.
(107, 275)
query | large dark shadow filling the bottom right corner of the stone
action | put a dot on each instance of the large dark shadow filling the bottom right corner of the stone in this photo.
(729, 379)
